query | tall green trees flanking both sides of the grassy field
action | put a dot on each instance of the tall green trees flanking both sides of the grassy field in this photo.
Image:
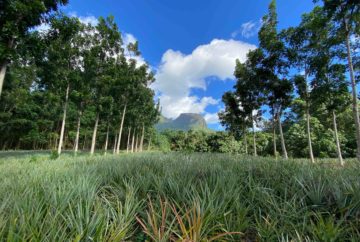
(78, 86)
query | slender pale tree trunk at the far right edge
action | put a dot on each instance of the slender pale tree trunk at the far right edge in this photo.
(354, 96)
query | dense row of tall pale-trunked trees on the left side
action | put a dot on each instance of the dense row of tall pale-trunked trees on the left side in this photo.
(73, 84)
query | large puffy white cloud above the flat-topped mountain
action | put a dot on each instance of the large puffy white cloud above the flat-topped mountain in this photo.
(179, 73)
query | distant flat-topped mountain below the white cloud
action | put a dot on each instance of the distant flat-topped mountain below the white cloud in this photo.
(184, 122)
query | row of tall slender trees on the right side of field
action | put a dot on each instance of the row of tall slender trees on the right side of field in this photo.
(318, 59)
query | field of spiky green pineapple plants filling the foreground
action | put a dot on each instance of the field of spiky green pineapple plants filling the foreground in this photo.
(177, 197)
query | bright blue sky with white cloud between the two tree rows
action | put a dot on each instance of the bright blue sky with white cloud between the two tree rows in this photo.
(192, 45)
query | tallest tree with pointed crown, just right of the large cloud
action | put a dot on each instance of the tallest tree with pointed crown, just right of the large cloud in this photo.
(278, 88)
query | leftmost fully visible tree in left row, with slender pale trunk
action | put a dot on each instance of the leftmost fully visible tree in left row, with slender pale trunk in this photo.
(61, 62)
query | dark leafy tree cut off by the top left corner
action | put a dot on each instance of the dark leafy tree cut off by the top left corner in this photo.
(16, 18)
